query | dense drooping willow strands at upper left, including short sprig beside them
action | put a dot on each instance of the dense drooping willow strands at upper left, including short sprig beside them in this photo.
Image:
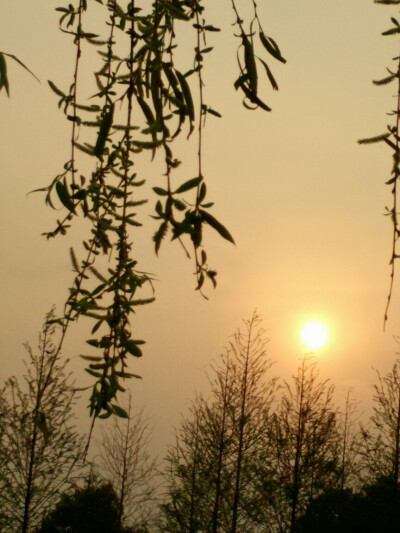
(144, 102)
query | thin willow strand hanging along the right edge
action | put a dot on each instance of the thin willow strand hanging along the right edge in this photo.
(392, 140)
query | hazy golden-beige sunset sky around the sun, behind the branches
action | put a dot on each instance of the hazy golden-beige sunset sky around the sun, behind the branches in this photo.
(303, 201)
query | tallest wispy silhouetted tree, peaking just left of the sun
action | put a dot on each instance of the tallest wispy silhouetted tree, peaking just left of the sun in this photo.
(211, 467)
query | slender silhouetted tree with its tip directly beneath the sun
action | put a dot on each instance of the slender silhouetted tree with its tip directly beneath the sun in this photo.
(305, 436)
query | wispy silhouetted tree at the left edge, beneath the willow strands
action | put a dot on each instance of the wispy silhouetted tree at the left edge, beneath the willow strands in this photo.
(41, 446)
